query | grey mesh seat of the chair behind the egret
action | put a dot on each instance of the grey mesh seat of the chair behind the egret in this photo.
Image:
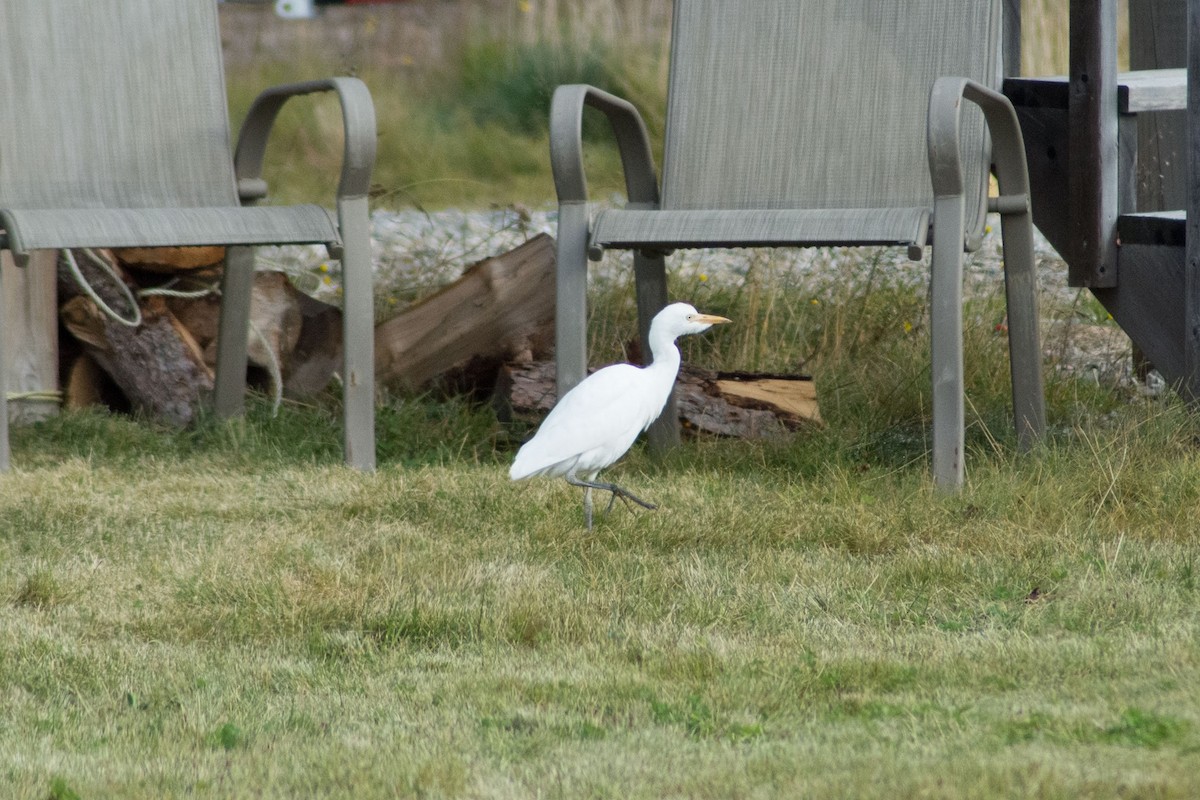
(635, 228)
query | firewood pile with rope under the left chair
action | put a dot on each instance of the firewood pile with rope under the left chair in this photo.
(164, 365)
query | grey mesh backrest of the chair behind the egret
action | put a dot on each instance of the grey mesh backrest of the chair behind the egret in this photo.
(820, 104)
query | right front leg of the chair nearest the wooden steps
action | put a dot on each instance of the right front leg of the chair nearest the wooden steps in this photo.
(946, 321)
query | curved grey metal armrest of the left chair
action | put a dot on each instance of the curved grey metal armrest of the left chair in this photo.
(358, 122)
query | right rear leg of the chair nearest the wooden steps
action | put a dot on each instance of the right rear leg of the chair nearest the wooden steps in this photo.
(1024, 341)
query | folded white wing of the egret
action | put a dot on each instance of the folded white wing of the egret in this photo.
(602, 416)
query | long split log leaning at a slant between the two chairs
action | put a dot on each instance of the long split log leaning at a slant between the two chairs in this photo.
(500, 309)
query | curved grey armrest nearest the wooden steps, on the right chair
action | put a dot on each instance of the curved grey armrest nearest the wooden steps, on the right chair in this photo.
(1009, 147)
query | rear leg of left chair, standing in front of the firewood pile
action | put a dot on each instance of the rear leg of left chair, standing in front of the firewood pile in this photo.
(233, 333)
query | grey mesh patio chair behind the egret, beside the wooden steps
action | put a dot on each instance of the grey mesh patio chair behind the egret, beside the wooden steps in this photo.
(817, 123)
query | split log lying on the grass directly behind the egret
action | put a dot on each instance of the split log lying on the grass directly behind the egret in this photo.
(746, 406)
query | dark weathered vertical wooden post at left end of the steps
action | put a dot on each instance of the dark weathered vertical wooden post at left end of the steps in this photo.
(1093, 116)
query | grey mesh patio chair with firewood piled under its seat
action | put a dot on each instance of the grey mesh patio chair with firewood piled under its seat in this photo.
(115, 133)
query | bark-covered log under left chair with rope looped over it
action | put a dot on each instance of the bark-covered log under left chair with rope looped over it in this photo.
(158, 365)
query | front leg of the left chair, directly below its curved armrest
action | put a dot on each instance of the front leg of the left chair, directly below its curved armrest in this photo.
(358, 334)
